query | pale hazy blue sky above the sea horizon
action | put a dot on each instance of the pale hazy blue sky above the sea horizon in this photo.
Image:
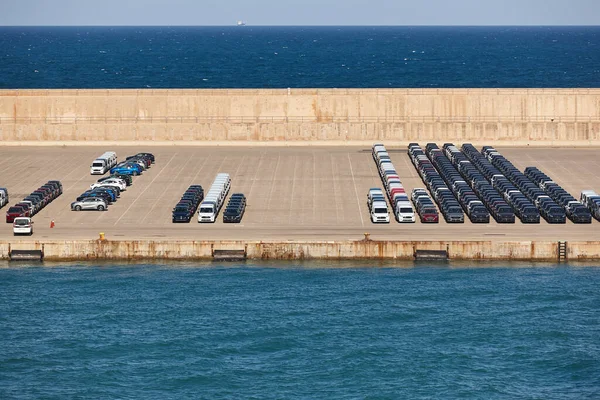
(296, 12)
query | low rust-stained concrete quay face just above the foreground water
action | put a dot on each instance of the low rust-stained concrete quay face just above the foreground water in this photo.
(330, 250)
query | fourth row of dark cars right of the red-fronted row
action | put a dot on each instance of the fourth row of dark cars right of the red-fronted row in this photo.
(523, 208)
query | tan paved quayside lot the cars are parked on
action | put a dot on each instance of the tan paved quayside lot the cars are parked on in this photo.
(294, 193)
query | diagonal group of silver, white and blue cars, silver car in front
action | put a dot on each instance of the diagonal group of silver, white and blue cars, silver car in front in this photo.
(107, 190)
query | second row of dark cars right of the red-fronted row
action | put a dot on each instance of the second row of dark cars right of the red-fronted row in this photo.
(468, 200)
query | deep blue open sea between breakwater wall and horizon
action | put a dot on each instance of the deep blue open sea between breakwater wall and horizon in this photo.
(297, 57)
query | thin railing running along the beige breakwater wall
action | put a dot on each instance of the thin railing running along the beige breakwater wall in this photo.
(296, 119)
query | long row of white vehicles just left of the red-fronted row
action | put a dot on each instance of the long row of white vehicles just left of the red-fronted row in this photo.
(401, 206)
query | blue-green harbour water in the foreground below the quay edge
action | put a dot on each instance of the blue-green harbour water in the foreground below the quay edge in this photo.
(313, 330)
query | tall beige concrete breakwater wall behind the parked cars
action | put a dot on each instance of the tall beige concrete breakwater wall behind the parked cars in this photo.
(302, 115)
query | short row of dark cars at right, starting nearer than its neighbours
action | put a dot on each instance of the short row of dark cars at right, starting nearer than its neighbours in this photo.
(574, 210)
